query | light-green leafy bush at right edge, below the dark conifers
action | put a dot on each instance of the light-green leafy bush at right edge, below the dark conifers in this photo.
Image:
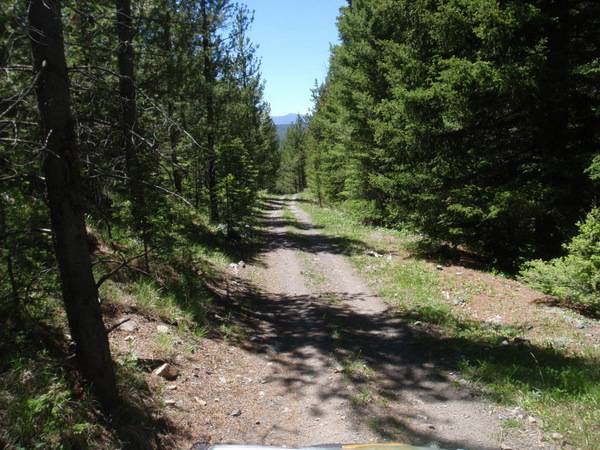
(576, 276)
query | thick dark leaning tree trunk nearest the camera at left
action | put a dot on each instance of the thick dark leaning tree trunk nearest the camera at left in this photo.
(61, 169)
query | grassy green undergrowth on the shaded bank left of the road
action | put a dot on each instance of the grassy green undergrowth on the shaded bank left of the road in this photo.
(177, 279)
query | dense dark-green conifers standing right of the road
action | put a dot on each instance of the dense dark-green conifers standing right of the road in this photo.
(471, 121)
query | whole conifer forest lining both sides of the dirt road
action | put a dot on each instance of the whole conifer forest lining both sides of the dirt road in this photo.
(131, 131)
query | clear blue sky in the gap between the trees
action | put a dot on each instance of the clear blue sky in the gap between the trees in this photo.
(294, 38)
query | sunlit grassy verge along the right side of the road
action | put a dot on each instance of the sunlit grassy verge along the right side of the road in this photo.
(550, 372)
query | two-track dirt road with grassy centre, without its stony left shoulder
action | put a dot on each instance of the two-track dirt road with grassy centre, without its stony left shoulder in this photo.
(345, 370)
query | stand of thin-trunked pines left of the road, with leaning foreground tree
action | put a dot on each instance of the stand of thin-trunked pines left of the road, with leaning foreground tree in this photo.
(118, 122)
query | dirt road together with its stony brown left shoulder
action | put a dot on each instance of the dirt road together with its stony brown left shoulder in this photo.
(308, 354)
